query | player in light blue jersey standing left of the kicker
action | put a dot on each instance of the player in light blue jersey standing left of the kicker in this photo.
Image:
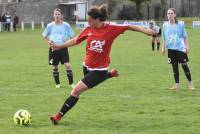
(57, 33)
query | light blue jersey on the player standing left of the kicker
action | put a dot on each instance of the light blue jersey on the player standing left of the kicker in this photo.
(58, 33)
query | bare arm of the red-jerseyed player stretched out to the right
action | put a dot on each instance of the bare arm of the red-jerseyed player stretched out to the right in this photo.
(142, 30)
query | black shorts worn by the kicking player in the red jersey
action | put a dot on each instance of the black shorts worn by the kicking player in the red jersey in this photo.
(94, 77)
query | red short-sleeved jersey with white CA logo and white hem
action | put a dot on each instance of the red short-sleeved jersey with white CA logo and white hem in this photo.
(99, 42)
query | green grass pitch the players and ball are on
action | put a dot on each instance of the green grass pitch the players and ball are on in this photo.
(138, 102)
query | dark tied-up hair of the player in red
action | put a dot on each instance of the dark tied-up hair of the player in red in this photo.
(100, 12)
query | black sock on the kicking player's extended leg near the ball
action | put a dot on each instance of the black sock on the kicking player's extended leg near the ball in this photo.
(69, 103)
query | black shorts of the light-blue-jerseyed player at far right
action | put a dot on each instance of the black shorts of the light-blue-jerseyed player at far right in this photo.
(175, 56)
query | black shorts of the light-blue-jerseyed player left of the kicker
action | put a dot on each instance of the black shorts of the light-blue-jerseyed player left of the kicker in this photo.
(58, 56)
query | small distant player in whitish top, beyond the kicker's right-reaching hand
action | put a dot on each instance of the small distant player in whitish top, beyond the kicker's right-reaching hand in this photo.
(155, 38)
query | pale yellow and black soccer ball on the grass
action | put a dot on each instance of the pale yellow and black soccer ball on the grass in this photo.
(22, 117)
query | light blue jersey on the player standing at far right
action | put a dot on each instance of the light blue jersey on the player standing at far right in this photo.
(174, 36)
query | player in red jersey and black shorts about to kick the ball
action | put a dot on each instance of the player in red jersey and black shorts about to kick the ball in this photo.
(99, 36)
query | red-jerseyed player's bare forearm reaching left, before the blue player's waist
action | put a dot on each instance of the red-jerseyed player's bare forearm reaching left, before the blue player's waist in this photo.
(69, 43)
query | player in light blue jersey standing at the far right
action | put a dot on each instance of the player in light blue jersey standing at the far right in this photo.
(175, 40)
